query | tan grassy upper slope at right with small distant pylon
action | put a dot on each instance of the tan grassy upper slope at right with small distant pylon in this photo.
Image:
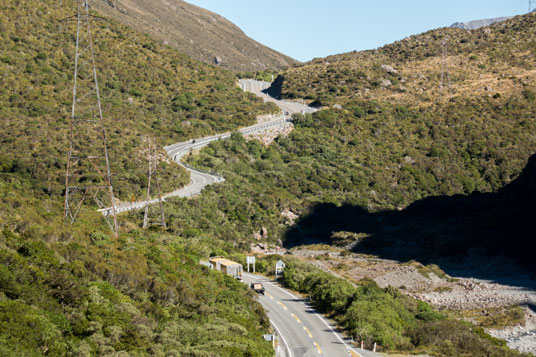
(492, 61)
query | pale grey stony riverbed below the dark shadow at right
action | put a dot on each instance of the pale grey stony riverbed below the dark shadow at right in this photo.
(453, 292)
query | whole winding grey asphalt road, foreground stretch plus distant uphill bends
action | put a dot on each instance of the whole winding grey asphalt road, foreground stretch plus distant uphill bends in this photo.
(302, 331)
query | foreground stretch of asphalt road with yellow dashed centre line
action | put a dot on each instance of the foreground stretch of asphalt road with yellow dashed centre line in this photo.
(302, 331)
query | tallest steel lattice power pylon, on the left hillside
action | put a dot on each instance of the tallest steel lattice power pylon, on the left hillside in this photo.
(88, 173)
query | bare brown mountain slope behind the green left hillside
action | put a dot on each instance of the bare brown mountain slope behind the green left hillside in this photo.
(199, 33)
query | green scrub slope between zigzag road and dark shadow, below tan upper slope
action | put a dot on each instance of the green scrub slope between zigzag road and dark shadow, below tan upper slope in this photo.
(387, 158)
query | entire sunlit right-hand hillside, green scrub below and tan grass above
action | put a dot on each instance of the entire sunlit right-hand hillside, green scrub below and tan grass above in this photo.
(385, 149)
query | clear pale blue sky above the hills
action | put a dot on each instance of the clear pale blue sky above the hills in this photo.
(304, 29)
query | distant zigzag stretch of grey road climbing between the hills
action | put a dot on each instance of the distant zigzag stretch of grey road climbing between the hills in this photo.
(200, 179)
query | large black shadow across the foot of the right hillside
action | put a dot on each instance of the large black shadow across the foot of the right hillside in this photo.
(484, 236)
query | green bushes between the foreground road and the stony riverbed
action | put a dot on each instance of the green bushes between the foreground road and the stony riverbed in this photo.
(387, 317)
